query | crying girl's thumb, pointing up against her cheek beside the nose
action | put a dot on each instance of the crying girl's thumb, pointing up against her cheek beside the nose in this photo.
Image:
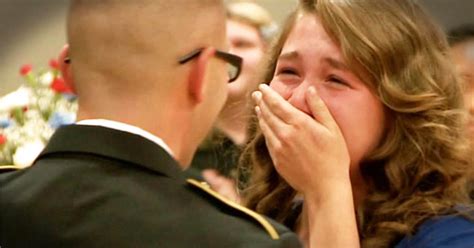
(319, 109)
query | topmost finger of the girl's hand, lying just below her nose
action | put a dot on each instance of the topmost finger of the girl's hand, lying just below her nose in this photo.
(279, 106)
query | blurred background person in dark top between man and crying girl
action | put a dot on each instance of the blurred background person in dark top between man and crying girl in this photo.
(250, 29)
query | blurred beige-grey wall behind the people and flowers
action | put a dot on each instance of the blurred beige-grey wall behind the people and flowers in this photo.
(33, 31)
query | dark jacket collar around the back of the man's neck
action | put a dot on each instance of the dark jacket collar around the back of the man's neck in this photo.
(112, 144)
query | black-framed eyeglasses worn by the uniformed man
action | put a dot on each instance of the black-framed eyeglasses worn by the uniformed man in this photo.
(234, 61)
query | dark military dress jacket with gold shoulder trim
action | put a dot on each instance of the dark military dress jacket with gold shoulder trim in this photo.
(99, 187)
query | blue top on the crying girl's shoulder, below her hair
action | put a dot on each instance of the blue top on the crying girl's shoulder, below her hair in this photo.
(446, 231)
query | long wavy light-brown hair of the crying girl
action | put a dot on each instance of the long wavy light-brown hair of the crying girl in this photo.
(420, 168)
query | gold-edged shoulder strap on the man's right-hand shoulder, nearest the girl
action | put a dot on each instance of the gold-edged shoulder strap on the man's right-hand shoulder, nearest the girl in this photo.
(257, 217)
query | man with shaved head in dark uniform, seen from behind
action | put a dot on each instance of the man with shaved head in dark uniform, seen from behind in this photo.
(151, 77)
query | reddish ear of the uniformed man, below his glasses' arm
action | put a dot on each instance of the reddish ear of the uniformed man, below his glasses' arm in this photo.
(198, 73)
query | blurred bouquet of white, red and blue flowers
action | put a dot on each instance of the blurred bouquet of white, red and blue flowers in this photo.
(31, 114)
